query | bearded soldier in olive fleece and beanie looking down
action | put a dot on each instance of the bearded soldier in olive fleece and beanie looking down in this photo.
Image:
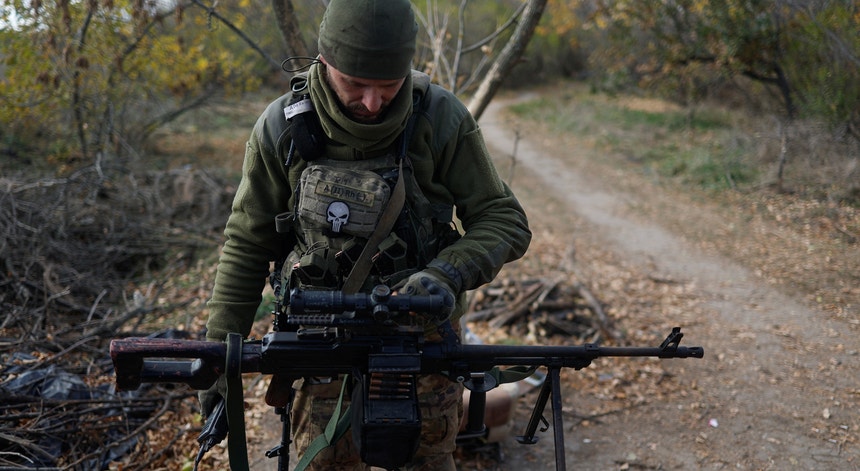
(322, 165)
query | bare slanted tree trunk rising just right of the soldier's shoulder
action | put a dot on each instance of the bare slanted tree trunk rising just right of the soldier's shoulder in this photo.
(508, 58)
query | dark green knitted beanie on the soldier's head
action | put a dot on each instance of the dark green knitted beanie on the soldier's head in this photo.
(372, 39)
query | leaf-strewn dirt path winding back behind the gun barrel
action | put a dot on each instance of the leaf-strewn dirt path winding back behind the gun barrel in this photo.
(778, 388)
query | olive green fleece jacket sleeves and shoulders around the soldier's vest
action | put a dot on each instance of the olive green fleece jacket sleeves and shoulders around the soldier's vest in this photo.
(451, 164)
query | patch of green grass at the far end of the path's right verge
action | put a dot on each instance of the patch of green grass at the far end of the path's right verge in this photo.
(699, 149)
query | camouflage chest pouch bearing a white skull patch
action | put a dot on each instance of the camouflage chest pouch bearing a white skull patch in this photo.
(341, 201)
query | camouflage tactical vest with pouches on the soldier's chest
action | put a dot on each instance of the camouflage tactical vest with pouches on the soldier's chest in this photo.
(337, 206)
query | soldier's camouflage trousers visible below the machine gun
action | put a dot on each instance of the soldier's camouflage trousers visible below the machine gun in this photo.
(440, 401)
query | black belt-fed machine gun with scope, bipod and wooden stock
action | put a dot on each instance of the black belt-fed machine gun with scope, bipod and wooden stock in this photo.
(328, 334)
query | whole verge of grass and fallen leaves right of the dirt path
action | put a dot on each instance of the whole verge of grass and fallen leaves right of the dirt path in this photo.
(799, 230)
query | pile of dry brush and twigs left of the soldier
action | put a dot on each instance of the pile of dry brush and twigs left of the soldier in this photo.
(71, 249)
